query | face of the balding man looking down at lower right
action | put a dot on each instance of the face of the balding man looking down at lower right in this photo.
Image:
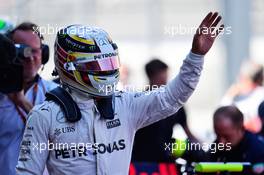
(227, 132)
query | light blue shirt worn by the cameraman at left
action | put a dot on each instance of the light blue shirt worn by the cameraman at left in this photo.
(12, 122)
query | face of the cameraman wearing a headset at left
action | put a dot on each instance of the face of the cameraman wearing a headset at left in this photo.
(32, 64)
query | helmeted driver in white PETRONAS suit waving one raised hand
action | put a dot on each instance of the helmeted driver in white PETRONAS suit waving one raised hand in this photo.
(86, 127)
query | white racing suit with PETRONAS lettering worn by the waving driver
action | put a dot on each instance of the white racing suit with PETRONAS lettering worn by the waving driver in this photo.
(94, 145)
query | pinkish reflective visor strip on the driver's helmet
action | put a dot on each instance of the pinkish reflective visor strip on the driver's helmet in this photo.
(109, 64)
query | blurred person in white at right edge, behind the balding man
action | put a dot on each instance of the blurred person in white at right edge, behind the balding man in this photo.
(247, 94)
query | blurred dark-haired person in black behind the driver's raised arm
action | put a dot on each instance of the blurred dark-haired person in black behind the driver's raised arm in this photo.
(149, 144)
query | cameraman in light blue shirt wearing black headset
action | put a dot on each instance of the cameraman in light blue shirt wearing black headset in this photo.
(14, 107)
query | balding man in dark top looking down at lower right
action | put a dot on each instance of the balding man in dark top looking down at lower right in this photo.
(245, 145)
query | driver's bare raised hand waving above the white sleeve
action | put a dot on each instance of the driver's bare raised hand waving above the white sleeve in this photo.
(206, 33)
